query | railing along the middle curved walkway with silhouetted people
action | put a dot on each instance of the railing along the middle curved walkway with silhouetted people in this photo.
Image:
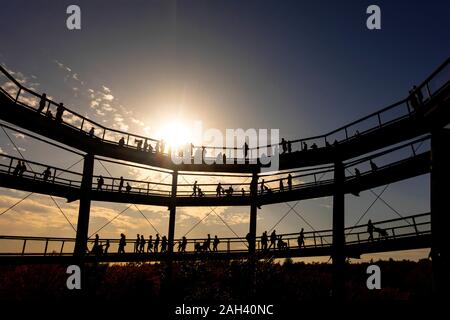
(300, 179)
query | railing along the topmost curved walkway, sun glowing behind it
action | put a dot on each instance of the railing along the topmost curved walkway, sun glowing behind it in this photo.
(398, 111)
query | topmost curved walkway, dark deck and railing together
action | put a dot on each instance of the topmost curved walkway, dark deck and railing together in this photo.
(427, 108)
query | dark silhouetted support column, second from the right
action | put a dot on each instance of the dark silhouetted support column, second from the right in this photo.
(338, 251)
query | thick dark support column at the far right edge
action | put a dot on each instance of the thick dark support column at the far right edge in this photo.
(440, 218)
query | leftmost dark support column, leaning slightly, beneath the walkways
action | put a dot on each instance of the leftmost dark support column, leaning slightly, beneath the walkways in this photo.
(85, 206)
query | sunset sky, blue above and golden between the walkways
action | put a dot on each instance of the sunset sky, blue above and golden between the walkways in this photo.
(305, 67)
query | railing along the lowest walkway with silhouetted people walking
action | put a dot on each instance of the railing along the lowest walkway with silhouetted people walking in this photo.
(401, 228)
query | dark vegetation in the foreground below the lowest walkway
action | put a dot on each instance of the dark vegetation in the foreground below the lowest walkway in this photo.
(220, 281)
